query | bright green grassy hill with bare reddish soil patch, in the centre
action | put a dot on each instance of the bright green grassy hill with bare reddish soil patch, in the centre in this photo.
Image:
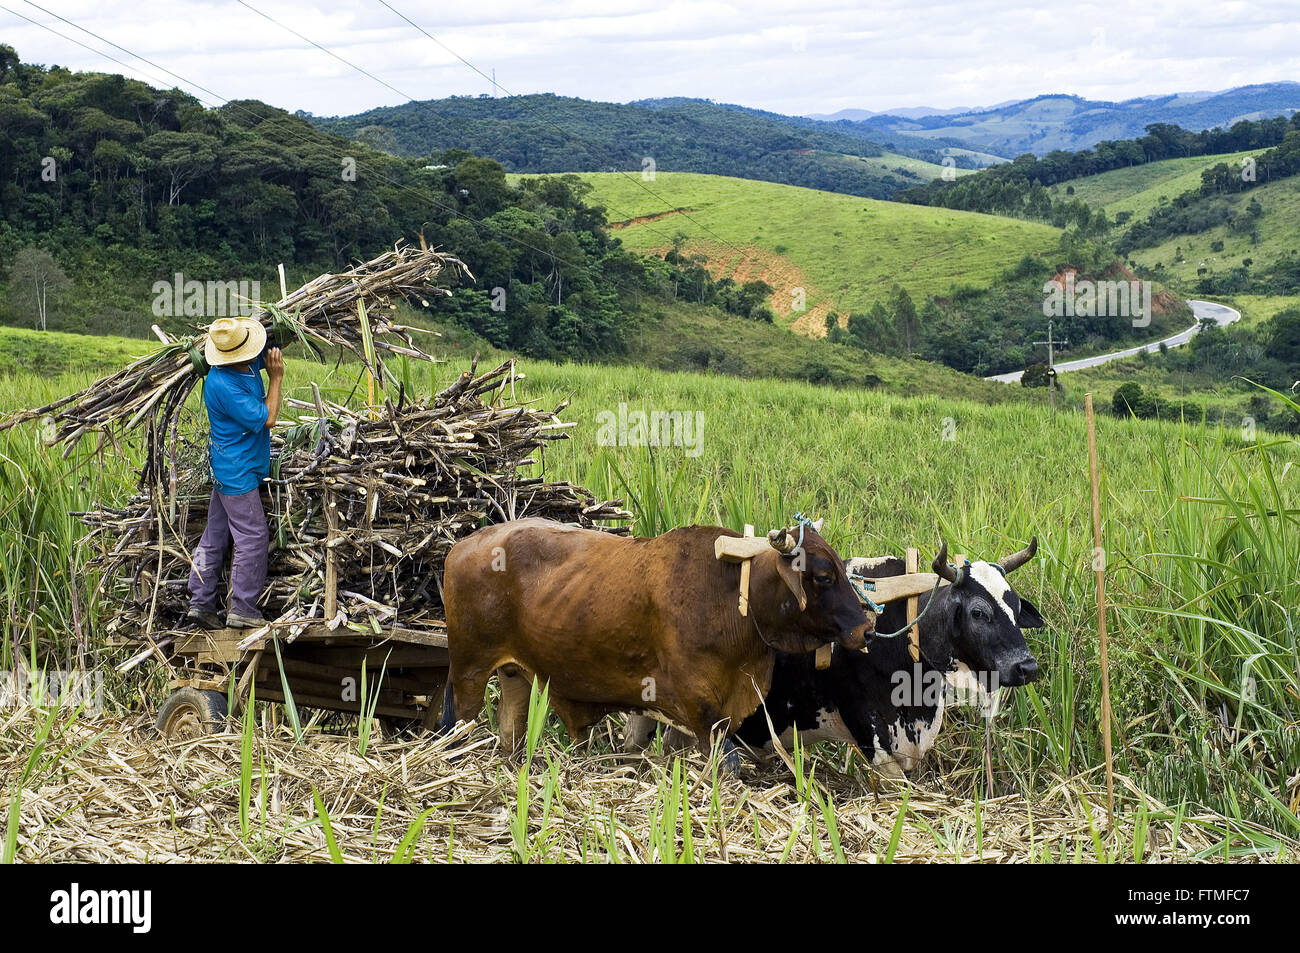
(844, 253)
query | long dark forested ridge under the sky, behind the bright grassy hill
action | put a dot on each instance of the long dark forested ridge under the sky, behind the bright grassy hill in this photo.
(548, 133)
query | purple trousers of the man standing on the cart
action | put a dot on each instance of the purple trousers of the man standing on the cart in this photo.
(244, 519)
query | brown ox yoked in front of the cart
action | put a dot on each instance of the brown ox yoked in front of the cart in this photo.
(617, 623)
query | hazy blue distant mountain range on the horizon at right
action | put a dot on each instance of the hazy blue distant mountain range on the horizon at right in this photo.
(1056, 122)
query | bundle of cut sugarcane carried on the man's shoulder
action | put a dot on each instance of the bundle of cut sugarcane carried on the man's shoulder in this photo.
(326, 314)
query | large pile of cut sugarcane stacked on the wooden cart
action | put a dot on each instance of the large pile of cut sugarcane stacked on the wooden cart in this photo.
(384, 496)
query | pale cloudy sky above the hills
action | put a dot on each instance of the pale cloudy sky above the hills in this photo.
(794, 58)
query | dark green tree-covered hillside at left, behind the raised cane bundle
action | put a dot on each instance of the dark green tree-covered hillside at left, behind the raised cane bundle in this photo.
(109, 185)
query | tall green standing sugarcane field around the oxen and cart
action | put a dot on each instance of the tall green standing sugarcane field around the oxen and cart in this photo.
(1193, 617)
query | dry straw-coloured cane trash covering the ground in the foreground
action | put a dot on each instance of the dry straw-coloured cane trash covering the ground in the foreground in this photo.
(118, 794)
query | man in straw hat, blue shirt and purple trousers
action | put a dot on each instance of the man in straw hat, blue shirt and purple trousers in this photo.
(241, 417)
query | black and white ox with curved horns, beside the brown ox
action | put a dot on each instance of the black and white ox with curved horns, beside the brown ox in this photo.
(882, 701)
